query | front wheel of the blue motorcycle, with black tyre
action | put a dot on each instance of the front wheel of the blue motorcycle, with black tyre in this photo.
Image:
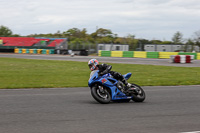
(100, 94)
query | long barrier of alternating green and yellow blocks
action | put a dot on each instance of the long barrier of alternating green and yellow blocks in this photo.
(142, 54)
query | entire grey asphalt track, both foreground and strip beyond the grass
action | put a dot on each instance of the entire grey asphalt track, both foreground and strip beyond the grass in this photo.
(167, 109)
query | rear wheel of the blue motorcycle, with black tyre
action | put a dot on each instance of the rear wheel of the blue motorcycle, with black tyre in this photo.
(139, 94)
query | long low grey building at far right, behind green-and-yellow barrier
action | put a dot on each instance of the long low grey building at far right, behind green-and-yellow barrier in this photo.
(170, 47)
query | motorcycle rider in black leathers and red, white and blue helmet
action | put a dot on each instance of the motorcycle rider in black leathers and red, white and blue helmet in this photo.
(104, 69)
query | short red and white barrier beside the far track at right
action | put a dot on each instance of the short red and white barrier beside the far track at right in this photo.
(182, 58)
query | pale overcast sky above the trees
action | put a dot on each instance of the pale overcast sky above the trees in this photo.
(146, 19)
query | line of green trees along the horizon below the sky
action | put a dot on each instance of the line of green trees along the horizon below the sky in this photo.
(80, 37)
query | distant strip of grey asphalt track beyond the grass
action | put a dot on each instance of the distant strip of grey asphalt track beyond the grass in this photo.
(146, 61)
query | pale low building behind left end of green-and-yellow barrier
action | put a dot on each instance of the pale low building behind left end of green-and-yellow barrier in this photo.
(113, 47)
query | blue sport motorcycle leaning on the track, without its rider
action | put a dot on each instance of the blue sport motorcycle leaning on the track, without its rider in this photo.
(105, 89)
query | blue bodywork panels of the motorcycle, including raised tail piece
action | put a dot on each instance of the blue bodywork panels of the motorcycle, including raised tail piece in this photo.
(108, 81)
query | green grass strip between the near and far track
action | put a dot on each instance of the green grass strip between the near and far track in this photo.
(28, 73)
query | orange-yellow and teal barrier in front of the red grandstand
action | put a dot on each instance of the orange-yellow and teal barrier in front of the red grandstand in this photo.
(34, 51)
